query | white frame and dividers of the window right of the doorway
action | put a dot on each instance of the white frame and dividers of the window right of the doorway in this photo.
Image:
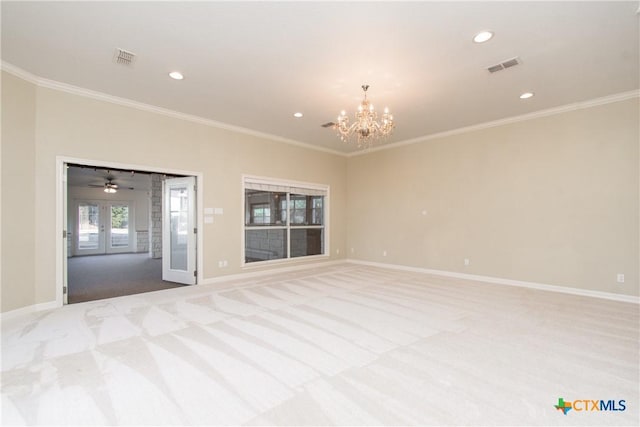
(288, 226)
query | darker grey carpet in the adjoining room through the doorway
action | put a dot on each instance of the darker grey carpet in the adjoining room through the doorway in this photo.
(106, 276)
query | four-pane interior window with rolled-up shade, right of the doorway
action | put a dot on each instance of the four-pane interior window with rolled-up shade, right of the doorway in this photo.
(283, 220)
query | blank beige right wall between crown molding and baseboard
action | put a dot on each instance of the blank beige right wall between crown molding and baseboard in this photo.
(552, 200)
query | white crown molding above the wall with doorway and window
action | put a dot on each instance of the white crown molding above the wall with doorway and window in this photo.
(100, 96)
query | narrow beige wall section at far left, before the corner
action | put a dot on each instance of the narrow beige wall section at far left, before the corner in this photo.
(18, 192)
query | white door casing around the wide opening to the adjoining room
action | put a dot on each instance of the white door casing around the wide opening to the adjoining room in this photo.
(61, 206)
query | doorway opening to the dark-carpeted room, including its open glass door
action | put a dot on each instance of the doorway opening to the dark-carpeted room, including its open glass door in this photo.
(127, 230)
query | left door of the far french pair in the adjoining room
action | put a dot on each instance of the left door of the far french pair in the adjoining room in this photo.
(90, 236)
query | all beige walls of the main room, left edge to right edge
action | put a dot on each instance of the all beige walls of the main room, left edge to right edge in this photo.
(552, 200)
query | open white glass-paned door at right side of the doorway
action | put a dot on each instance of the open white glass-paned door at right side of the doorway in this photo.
(179, 230)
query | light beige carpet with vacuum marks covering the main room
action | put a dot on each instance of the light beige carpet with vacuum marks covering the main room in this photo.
(341, 345)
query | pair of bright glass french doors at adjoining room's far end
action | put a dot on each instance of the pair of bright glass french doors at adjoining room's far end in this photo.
(103, 227)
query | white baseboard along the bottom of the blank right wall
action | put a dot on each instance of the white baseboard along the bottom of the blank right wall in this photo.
(509, 282)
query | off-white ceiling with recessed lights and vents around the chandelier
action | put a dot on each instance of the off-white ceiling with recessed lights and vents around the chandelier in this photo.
(252, 65)
